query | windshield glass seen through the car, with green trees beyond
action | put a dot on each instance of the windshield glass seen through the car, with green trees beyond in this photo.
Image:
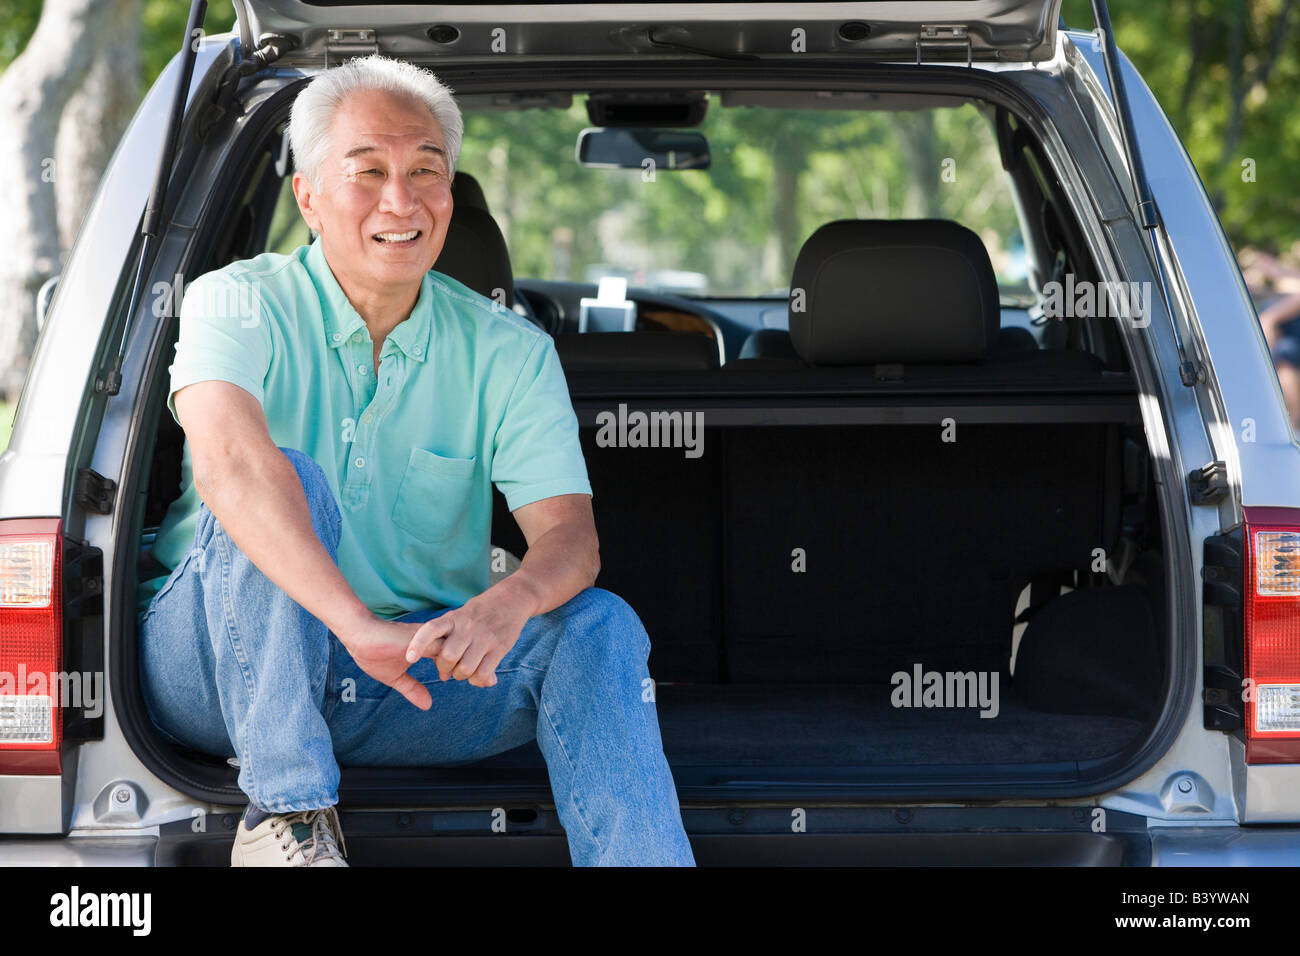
(735, 228)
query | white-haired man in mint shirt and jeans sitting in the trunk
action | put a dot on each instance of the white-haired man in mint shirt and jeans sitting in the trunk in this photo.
(346, 414)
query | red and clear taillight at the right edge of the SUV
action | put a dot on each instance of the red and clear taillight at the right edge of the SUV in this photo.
(1273, 635)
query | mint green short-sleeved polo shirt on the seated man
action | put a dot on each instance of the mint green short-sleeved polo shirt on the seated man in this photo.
(469, 395)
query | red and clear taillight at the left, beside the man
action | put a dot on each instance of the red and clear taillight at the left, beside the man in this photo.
(31, 646)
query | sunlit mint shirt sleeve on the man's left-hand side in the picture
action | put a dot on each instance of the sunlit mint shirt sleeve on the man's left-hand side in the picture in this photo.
(224, 335)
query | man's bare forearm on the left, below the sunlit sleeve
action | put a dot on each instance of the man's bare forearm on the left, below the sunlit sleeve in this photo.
(259, 500)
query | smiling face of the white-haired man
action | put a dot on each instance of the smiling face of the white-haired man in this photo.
(387, 175)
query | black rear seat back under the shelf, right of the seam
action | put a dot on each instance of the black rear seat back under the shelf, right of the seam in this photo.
(931, 540)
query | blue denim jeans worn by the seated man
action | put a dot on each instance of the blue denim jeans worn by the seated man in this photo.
(233, 667)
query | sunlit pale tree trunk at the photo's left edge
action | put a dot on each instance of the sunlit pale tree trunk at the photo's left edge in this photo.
(33, 94)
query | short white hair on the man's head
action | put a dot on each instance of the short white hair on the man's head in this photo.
(314, 111)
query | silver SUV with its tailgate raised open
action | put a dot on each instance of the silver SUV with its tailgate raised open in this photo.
(986, 546)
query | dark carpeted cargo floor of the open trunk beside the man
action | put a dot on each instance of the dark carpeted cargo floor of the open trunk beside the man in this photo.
(766, 725)
